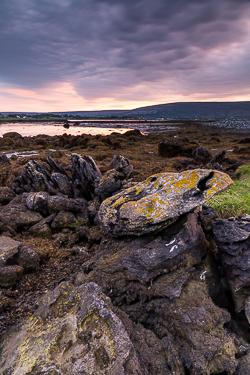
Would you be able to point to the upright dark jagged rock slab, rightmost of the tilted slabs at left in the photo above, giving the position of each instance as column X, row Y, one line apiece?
column 86, row 176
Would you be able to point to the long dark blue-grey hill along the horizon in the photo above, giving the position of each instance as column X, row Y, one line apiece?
column 182, row 110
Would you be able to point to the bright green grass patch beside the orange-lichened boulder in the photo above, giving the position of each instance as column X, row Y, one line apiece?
column 236, row 200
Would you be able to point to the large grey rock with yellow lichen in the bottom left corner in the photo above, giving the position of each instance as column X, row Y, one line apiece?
column 74, row 331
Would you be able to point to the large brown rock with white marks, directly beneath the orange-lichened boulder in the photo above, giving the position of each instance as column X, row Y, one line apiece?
column 155, row 280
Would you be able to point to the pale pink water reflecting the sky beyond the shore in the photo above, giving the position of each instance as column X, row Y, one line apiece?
column 28, row 129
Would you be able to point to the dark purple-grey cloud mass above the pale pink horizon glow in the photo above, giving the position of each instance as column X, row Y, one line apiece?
column 102, row 46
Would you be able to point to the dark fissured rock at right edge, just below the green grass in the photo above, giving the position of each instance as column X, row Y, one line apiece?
column 233, row 241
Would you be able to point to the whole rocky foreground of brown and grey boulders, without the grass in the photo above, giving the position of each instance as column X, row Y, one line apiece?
column 100, row 274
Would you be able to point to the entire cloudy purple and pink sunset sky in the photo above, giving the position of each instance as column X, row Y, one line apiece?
column 66, row 55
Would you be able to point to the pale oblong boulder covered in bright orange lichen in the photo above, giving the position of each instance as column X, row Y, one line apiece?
column 157, row 202
